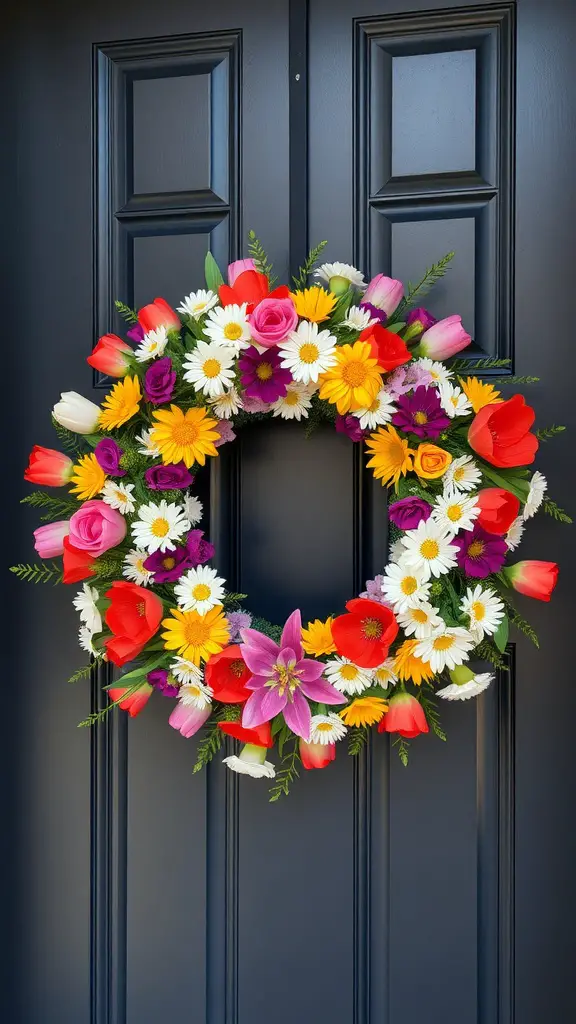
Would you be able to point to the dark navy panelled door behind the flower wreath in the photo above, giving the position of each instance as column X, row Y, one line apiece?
column 138, row 136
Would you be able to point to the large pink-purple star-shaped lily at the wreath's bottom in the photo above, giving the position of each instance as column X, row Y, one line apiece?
column 283, row 678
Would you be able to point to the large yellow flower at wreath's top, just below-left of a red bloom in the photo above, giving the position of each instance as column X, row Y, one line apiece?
column 355, row 381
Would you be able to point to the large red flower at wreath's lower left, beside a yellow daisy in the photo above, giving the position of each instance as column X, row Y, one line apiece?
column 134, row 617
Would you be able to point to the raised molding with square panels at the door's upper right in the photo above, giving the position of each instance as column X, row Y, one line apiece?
column 462, row 64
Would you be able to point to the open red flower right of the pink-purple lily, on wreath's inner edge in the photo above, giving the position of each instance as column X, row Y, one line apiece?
column 364, row 635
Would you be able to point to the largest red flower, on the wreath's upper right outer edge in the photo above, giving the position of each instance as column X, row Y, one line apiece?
column 501, row 434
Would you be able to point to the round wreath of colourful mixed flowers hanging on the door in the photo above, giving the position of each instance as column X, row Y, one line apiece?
column 450, row 449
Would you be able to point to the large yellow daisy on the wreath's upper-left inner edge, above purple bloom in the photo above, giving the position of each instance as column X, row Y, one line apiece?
column 184, row 437
